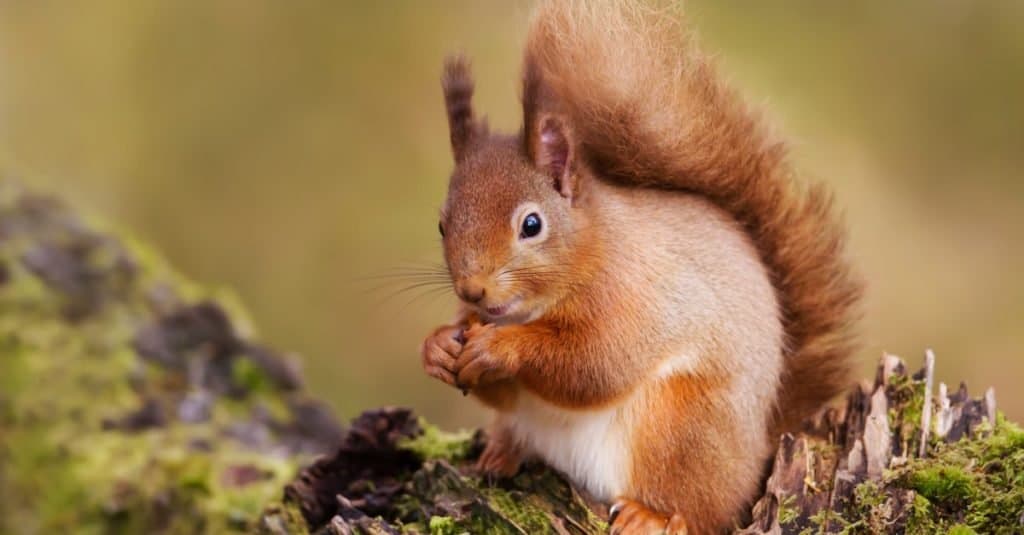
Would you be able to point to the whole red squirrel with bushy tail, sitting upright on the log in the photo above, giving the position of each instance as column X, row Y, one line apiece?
column 648, row 297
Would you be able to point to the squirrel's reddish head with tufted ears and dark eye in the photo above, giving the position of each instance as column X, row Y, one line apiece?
column 511, row 225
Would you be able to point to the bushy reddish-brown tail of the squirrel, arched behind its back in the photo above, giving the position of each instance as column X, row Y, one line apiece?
column 648, row 109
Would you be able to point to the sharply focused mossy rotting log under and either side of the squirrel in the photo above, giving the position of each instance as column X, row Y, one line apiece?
column 895, row 460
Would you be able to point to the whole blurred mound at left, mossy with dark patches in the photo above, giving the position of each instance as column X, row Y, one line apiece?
column 130, row 402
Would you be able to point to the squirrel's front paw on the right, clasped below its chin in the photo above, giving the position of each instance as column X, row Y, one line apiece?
column 484, row 359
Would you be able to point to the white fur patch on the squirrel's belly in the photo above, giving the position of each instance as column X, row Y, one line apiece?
column 590, row 447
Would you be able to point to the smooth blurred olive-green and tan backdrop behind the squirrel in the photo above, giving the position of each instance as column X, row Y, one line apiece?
column 289, row 150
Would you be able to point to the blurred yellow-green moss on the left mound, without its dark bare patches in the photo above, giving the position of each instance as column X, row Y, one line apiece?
column 64, row 381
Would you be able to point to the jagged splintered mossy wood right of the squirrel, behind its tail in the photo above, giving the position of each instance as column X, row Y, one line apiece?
column 888, row 471
